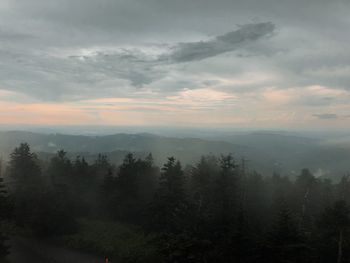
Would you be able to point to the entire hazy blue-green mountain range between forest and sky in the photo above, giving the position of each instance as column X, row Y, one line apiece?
column 265, row 152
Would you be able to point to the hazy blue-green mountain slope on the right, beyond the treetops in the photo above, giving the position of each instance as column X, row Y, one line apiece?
column 290, row 153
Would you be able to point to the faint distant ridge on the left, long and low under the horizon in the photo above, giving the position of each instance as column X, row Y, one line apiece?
column 106, row 143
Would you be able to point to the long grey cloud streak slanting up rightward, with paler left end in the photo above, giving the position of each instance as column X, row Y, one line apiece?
column 145, row 65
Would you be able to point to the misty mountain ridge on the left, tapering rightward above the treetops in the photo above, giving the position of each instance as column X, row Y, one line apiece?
column 186, row 149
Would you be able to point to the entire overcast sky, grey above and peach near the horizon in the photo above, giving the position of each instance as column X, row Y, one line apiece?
column 278, row 64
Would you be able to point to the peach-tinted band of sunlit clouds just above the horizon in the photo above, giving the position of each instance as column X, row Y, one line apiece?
column 199, row 107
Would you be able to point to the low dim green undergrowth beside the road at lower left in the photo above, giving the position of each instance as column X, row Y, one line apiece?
column 120, row 242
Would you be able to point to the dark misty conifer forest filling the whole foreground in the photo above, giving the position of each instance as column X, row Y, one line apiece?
column 216, row 210
